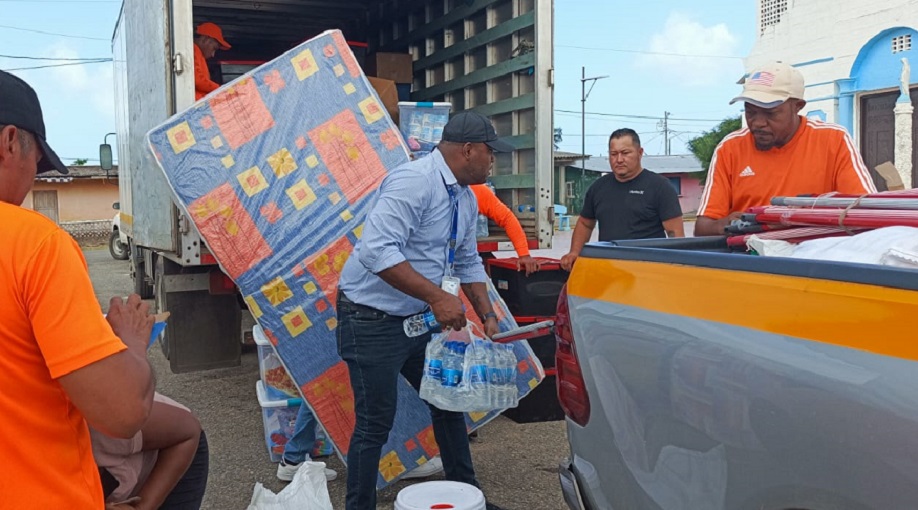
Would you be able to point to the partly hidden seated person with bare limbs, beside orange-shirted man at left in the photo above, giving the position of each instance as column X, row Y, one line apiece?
column 163, row 466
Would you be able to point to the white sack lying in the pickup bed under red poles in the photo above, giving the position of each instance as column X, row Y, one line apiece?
column 891, row 246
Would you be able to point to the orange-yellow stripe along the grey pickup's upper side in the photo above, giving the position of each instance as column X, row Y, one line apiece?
column 872, row 318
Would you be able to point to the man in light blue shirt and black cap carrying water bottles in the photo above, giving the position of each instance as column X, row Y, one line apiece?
column 418, row 243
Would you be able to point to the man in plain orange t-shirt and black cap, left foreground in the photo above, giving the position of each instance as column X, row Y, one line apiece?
column 61, row 362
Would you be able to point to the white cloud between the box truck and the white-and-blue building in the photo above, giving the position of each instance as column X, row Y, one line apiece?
column 683, row 35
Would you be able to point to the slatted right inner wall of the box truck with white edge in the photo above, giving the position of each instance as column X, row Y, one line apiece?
column 494, row 57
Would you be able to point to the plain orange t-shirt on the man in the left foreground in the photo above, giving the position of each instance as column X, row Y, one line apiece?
column 50, row 326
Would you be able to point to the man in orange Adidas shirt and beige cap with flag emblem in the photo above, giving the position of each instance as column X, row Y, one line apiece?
column 779, row 153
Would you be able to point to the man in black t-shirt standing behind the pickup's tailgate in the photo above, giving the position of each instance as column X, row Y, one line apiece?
column 629, row 203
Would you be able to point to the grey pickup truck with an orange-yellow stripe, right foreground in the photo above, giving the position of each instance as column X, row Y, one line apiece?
column 697, row 378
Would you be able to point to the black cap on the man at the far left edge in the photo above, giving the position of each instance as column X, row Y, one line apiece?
column 19, row 107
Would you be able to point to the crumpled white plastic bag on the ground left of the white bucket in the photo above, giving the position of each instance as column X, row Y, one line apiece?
column 307, row 491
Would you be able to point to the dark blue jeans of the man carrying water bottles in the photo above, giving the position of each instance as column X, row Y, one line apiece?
column 376, row 350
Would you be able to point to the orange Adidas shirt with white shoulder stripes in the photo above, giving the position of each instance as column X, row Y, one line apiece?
column 819, row 159
